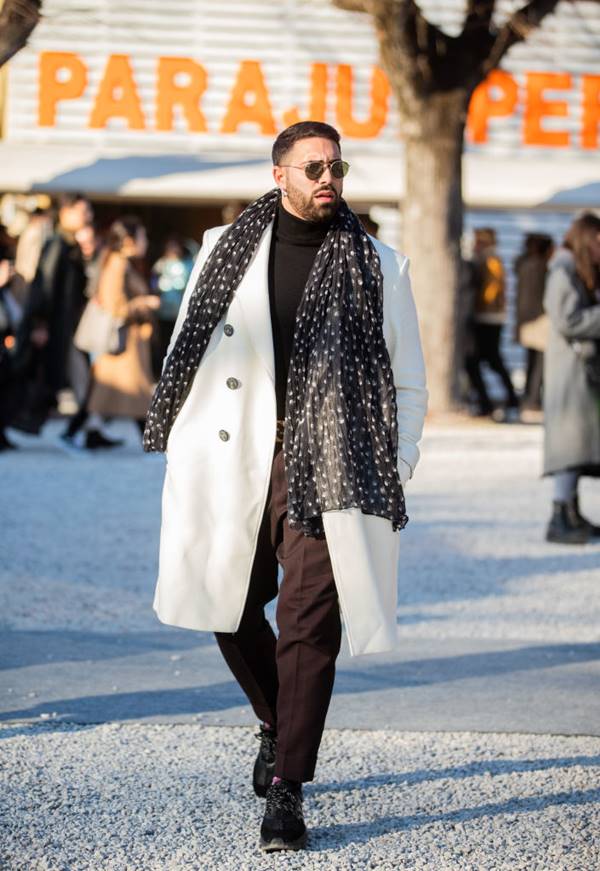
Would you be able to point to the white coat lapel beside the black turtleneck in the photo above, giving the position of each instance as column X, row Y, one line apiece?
column 253, row 299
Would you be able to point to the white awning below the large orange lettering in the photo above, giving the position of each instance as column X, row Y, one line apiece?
column 489, row 182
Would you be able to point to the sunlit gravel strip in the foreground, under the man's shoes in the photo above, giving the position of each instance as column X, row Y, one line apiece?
column 165, row 798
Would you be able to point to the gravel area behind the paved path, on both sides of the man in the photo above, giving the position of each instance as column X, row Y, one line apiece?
column 474, row 563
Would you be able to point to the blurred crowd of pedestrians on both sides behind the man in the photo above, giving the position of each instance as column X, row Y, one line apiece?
column 79, row 310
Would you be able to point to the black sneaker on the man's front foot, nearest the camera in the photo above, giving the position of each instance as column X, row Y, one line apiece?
column 283, row 823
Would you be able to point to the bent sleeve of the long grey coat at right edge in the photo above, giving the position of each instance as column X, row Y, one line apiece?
column 569, row 315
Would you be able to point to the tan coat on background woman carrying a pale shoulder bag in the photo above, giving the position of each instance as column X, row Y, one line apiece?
column 122, row 383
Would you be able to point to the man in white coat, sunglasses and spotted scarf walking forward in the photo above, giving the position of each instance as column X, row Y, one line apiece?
column 291, row 403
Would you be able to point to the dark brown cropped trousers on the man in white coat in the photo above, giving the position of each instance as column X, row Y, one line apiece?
column 288, row 680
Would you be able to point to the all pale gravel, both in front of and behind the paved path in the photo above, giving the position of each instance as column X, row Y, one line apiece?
column 79, row 554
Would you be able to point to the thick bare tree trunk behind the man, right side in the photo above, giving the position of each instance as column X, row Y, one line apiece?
column 431, row 234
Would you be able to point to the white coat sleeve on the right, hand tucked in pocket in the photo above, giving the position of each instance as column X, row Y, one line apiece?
column 401, row 329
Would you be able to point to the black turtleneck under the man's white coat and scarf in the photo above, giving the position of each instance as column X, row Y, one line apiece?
column 294, row 245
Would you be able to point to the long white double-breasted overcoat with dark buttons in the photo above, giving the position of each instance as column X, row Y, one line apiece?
column 219, row 457
